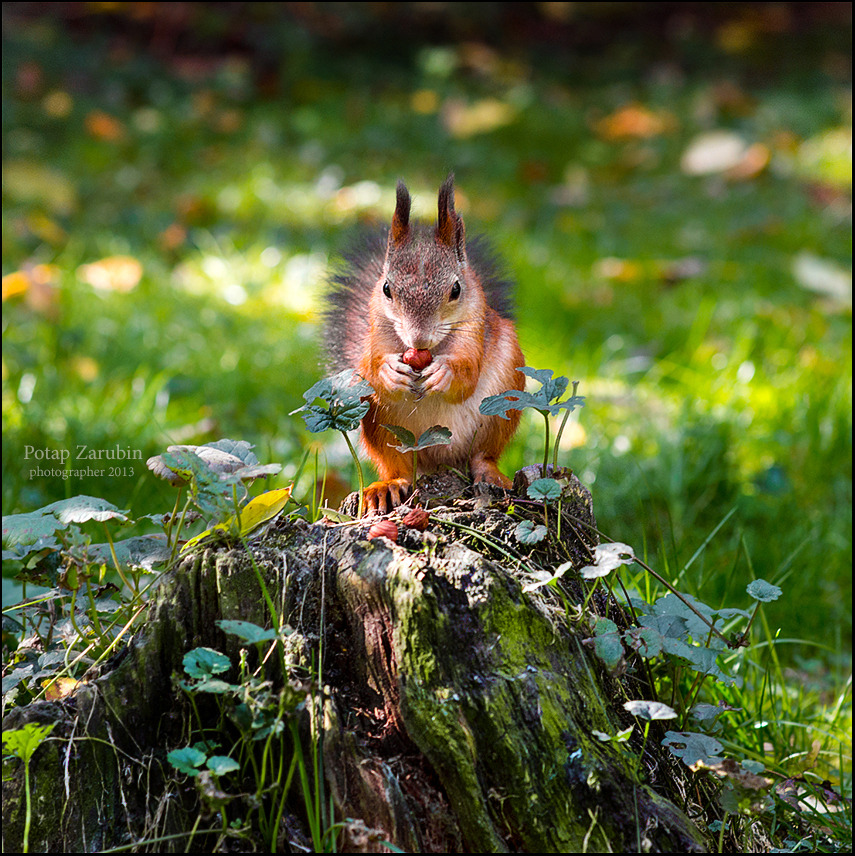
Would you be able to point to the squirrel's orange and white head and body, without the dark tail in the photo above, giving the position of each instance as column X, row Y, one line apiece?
column 475, row 354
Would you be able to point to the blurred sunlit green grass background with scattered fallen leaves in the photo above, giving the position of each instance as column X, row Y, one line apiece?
column 668, row 183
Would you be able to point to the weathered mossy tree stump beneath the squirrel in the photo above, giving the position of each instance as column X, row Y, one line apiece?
column 456, row 711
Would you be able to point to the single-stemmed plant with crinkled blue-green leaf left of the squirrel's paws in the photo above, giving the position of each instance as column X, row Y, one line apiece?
column 345, row 397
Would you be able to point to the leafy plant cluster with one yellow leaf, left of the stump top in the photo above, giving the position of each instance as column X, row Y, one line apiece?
column 96, row 595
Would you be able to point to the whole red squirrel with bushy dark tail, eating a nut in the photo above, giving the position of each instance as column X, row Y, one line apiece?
column 425, row 319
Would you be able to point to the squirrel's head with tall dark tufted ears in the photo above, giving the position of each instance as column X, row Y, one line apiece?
column 427, row 292
